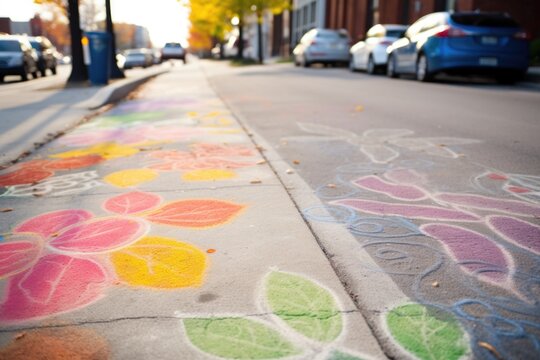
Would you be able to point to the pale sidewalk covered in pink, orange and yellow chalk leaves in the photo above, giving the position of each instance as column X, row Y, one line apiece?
column 158, row 231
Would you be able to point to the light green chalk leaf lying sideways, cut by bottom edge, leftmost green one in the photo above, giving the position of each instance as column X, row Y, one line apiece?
column 238, row 338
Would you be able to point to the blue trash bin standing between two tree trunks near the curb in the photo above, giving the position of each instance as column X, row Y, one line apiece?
column 99, row 44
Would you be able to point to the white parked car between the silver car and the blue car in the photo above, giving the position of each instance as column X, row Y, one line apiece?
column 370, row 54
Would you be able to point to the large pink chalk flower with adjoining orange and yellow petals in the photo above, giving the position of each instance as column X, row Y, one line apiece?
column 64, row 260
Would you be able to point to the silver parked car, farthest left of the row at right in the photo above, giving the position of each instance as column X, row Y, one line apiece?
column 324, row 46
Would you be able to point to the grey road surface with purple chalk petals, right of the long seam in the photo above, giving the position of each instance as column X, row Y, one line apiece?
column 439, row 182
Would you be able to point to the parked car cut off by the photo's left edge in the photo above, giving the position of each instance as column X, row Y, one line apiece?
column 17, row 57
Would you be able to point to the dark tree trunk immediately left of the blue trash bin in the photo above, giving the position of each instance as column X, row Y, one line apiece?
column 79, row 72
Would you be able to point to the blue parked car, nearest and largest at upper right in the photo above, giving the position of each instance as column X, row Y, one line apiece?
column 461, row 43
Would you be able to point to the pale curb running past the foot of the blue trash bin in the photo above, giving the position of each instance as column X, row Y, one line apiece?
column 117, row 91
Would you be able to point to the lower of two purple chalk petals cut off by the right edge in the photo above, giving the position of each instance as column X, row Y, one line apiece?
column 516, row 231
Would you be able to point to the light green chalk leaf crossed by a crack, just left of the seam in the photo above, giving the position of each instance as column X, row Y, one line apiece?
column 304, row 306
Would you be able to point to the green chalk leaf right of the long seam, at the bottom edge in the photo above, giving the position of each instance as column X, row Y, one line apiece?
column 428, row 333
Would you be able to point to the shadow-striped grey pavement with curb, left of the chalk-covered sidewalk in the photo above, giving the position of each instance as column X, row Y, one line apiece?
column 48, row 108
